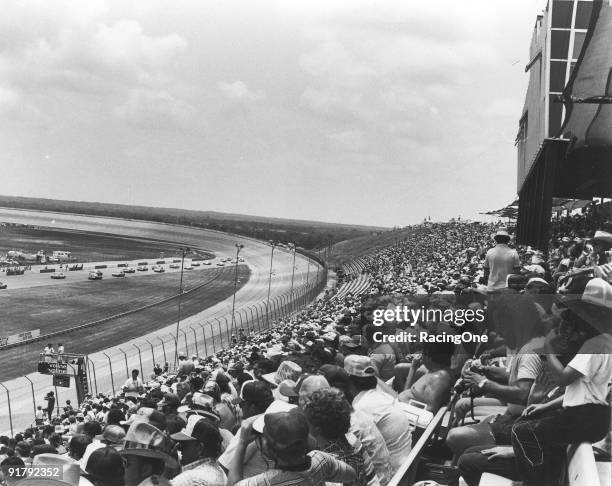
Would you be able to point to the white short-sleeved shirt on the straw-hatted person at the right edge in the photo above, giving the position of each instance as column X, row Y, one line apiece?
column 594, row 362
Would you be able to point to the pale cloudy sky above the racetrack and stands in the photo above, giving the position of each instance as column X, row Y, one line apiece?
column 364, row 112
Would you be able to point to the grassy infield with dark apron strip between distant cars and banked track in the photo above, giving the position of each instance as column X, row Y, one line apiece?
column 105, row 298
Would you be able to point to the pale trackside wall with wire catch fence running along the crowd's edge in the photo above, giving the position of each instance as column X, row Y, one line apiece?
column 108, row 371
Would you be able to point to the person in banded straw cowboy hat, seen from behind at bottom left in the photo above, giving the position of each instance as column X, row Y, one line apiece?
column 147, row 451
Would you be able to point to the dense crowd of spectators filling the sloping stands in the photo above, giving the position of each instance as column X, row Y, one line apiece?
column 317, row 398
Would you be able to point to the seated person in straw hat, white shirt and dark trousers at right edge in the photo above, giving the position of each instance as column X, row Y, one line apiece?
column 584, row 414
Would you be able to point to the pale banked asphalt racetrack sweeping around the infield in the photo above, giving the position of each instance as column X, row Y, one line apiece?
column 24, row 393
